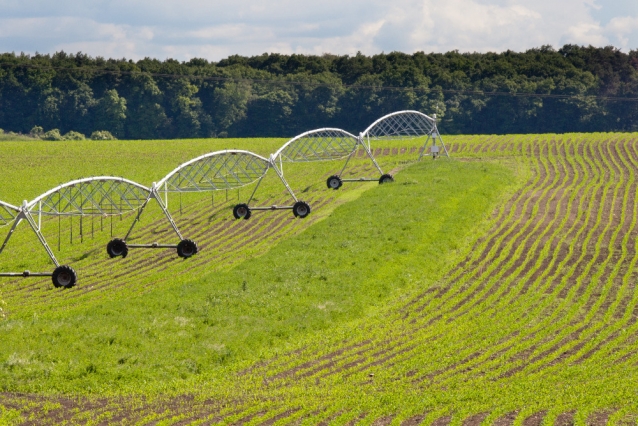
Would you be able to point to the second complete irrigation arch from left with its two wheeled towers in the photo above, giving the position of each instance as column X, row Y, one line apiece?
column 220, row 170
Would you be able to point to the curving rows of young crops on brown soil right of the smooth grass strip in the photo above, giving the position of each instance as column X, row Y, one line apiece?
column 536, row 324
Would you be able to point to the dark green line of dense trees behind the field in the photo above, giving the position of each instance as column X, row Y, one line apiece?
column 284, row 95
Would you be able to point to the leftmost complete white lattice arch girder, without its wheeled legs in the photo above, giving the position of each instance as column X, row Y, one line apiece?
column 103, row 196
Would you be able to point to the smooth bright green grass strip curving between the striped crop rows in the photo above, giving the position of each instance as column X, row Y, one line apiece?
column 392, row 240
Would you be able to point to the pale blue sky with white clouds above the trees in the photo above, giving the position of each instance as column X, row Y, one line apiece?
column 215, row 29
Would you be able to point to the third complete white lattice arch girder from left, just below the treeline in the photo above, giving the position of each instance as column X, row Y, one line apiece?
column 318, row 145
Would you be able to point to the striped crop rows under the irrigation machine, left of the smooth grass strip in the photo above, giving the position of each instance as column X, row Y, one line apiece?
column 224, row 242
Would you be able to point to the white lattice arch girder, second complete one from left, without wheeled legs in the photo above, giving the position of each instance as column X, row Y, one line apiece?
column 219, row 170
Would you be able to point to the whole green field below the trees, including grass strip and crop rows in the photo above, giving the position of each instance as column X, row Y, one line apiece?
column 494, row 287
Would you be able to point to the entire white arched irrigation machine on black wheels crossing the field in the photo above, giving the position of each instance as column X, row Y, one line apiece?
column 105, row 196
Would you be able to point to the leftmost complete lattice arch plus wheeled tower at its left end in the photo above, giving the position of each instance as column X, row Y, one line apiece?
column 103, row 196
